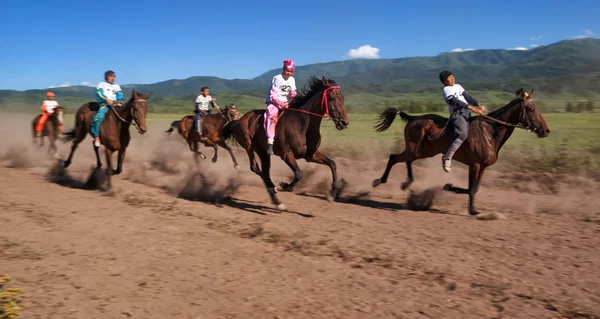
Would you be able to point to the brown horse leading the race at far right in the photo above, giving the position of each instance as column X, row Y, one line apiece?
column 428, row 135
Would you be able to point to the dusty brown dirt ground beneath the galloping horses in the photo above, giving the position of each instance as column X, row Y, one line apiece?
column 152, row 248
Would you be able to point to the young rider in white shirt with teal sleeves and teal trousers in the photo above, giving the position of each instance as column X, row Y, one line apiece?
column 107, row 93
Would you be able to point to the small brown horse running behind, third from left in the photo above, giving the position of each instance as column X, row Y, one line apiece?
column 212, row 126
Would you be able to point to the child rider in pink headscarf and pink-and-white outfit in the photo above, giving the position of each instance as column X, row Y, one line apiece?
column 282, row 85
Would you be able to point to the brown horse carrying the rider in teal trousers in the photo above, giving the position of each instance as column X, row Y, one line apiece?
column 114, row 131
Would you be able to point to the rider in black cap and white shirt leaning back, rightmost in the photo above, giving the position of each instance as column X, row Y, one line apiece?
column 460, row 102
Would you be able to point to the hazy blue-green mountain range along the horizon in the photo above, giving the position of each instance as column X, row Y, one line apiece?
column 569, row 65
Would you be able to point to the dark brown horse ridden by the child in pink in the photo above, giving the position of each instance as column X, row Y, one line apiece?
column 297, row 133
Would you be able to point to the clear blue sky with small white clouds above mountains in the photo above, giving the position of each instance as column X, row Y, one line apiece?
column 49, row 43
